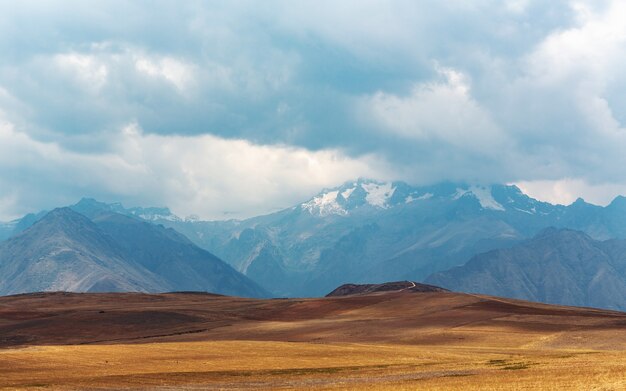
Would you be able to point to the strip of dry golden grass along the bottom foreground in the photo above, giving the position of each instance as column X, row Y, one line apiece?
column 285, row 365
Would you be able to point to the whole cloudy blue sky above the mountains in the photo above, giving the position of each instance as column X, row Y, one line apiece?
column 229, row 109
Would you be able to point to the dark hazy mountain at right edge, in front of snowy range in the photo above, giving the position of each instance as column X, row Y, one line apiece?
column 556, row 266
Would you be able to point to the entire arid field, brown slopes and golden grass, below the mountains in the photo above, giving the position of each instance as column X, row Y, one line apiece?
column 394, row 340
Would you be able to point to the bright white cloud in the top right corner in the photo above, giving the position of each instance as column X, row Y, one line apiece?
column 587, row 60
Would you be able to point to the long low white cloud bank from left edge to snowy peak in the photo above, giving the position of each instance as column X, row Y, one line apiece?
column 204, row 175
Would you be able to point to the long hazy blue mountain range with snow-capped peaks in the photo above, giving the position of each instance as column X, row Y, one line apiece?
column 366, row 232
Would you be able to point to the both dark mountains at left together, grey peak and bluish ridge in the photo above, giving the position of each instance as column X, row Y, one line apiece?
column 67, row 251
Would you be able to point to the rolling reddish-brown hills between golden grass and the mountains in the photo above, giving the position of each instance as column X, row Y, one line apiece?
column 401, row 316
